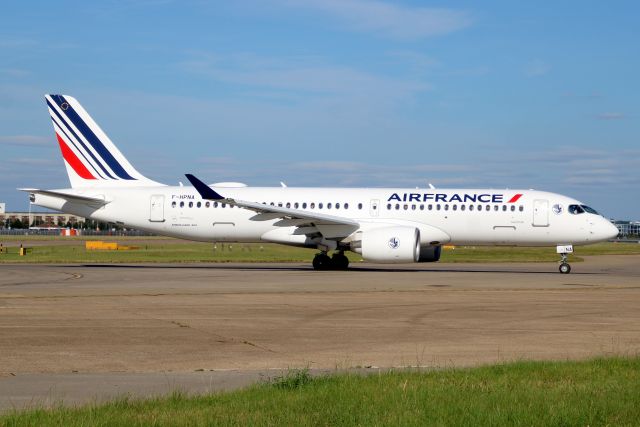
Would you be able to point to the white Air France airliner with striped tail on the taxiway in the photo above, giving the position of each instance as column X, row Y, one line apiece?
column 383, row 225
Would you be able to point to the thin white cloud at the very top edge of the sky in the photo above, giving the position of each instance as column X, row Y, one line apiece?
column 389, row 19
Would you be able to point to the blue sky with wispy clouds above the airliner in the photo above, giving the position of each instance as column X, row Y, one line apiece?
column 334, row 93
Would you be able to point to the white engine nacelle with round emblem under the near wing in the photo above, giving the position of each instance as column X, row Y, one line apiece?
column 388, row 244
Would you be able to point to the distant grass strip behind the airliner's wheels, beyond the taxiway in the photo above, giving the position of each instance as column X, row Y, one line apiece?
column 172, row 250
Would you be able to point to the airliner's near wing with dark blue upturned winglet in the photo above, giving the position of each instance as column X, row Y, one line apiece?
column 307, row 223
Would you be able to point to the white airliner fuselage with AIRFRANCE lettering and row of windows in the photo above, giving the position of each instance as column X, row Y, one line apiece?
column 451, row 216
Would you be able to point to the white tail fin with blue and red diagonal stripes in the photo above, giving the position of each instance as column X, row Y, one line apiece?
column 92, row 160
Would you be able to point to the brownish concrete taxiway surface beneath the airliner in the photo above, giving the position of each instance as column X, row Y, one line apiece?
column 85, row 332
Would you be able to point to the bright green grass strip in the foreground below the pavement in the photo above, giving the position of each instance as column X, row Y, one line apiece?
column 587, row 393
